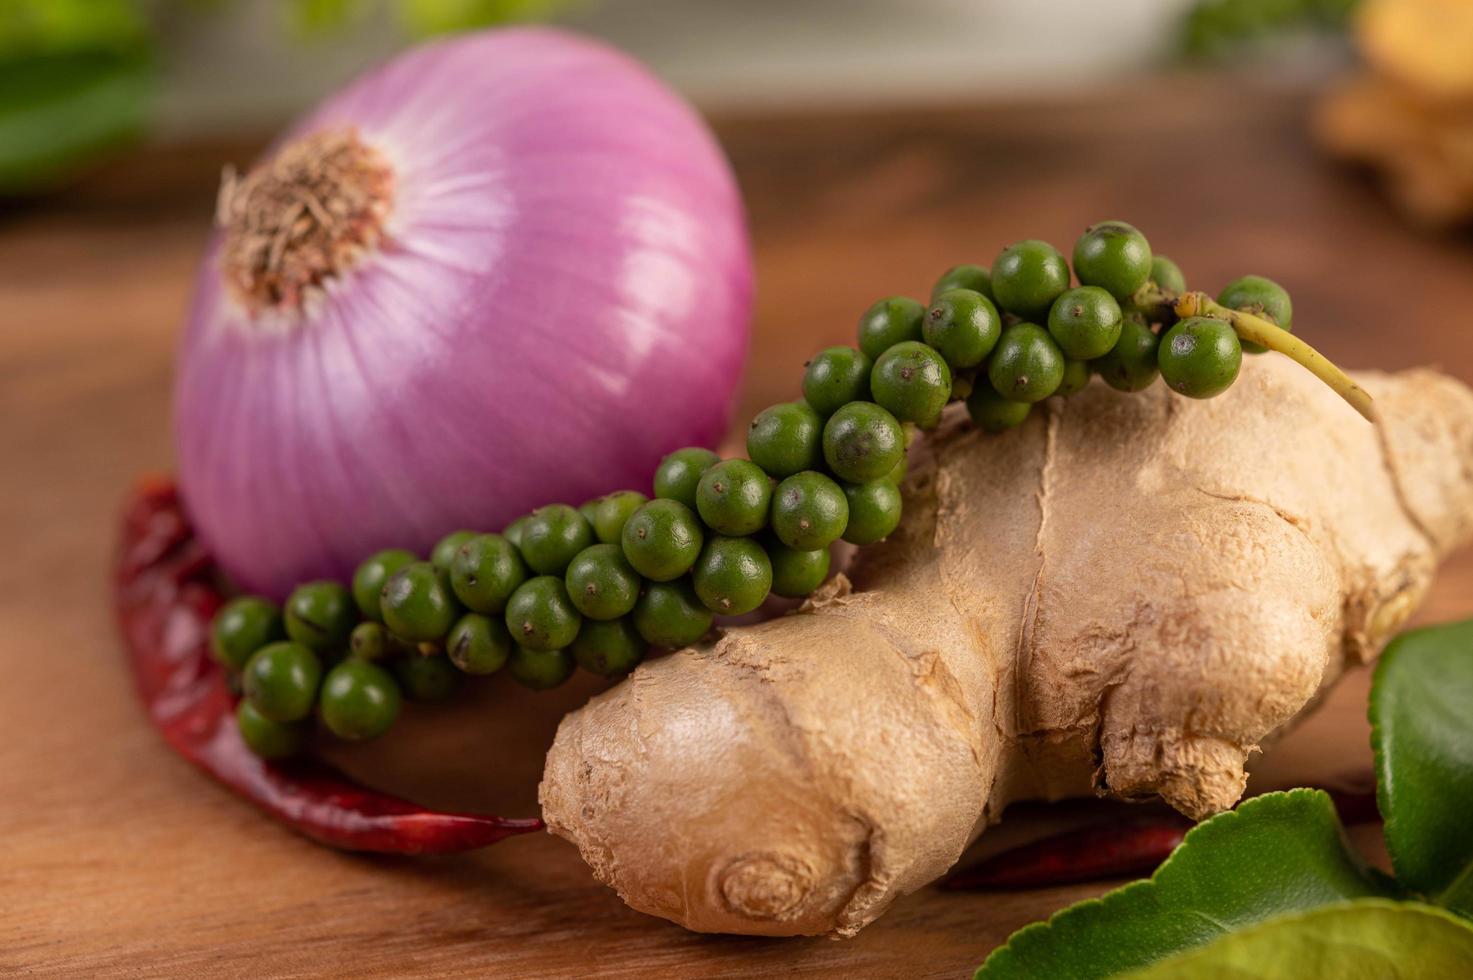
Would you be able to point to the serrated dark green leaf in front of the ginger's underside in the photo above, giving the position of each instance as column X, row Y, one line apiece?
column 1281, row 853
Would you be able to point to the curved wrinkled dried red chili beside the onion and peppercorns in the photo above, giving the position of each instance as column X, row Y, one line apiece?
column 166, row 596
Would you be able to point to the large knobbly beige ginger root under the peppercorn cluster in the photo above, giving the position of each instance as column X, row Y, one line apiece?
column 1126, row 596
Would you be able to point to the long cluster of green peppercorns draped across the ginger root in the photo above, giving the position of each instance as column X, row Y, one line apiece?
column 597, row 586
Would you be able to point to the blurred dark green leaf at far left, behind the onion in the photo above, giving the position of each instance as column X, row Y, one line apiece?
column 63, row 113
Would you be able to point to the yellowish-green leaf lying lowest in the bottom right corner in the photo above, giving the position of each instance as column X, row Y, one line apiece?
column 1368, row 939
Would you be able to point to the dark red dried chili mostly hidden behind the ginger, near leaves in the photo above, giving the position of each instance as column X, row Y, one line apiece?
column 1107, row 851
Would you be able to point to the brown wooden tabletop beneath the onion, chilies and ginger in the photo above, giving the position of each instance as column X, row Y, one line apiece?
column 117, row 860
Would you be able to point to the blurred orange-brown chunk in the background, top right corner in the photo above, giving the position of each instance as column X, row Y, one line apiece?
column 1412, row 114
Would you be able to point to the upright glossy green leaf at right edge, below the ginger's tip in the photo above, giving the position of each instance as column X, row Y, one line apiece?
column 1422, row 732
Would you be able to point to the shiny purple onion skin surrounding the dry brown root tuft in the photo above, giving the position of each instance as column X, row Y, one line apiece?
column 563, row 298
